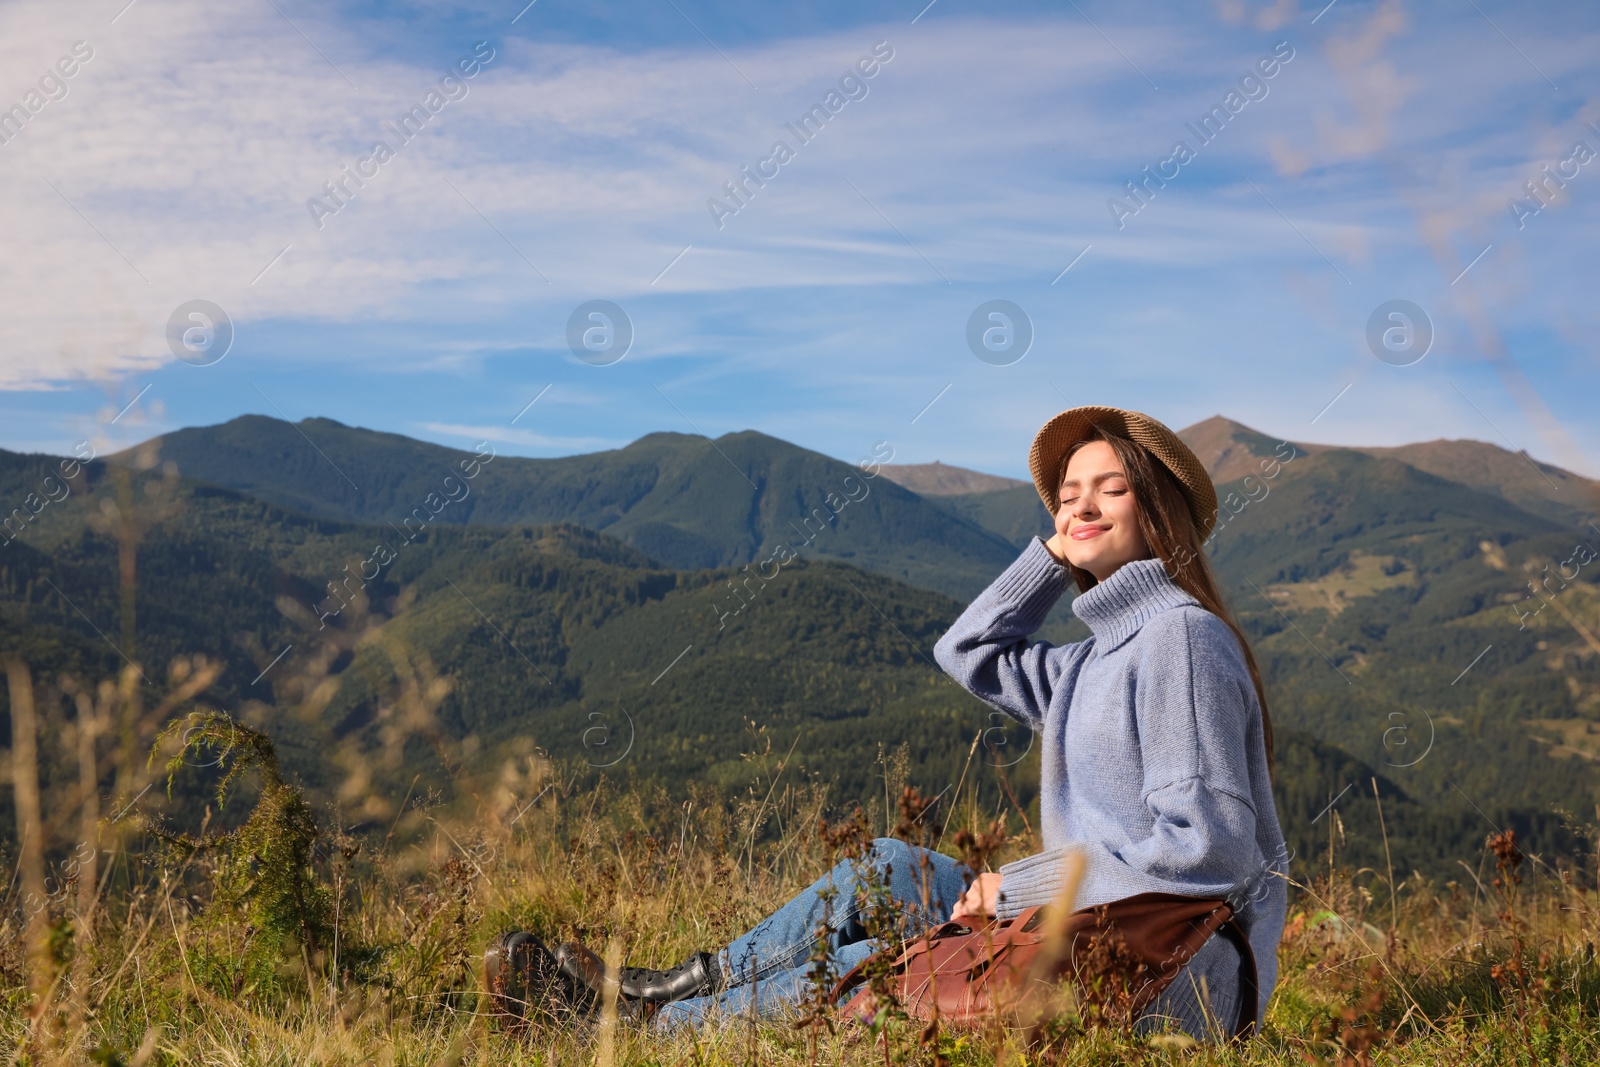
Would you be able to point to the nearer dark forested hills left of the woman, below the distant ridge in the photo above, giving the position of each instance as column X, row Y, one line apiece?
column 556, row 637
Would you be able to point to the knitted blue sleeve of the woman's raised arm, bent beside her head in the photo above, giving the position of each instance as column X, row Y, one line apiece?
column 986, row 649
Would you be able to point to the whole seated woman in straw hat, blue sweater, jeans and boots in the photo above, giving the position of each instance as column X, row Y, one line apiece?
column 1156, row 753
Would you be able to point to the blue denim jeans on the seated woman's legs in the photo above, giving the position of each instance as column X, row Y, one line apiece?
column 770, row 964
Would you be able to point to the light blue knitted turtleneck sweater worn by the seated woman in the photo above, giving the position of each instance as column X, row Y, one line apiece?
column 1153, row 756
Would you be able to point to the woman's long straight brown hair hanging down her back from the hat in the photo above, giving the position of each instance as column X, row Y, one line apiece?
column 1174, row 538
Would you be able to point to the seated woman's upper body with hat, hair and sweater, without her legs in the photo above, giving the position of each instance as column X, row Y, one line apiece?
column 1156, row 732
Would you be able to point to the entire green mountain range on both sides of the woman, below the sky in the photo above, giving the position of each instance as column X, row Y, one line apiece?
column 689, row 594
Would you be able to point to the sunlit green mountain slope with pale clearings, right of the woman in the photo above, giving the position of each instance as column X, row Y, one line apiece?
column 1370, row 588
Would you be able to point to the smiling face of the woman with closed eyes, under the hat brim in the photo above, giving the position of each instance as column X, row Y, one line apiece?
column 1098, row 519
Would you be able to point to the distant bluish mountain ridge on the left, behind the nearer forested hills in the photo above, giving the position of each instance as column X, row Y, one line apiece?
column 682, row 500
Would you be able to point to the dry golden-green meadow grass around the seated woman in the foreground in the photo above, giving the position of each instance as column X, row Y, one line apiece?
column 1497, row 972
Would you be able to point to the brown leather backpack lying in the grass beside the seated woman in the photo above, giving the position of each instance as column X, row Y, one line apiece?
column 1129, row 951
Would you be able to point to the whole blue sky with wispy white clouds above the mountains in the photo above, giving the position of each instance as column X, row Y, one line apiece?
column 946, row 255
